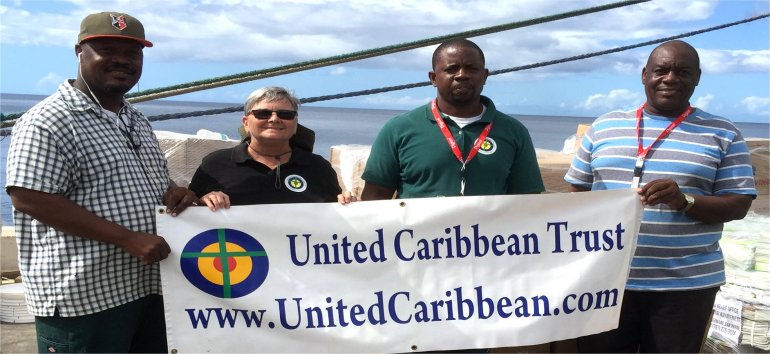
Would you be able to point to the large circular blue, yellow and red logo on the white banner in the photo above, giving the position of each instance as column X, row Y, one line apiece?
column 225, row 263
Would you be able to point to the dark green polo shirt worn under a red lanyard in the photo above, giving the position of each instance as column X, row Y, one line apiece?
column 411, row 155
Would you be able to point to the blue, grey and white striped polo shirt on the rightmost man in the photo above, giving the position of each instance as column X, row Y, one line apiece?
column 705, row 155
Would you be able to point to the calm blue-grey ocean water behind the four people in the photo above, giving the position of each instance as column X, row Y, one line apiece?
column 332, row 126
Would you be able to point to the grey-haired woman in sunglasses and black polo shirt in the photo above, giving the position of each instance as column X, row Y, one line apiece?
column 265, row 169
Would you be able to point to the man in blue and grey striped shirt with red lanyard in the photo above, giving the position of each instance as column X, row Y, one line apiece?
column 693, row 173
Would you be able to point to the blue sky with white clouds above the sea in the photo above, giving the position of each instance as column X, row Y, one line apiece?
column 203, row 39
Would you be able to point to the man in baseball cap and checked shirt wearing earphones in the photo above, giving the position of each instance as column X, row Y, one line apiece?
column 84, row 174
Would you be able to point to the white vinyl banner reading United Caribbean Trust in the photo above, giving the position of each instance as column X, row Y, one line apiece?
column 398, row 275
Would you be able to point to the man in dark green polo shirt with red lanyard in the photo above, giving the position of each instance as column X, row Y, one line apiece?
column 459, row 144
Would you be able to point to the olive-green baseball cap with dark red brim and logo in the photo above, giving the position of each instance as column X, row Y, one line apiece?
column 112, row 25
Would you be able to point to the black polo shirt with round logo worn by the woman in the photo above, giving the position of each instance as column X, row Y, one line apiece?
column 305, row 178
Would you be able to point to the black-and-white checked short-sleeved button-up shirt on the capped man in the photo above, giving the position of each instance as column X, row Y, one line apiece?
column 68, row 145
